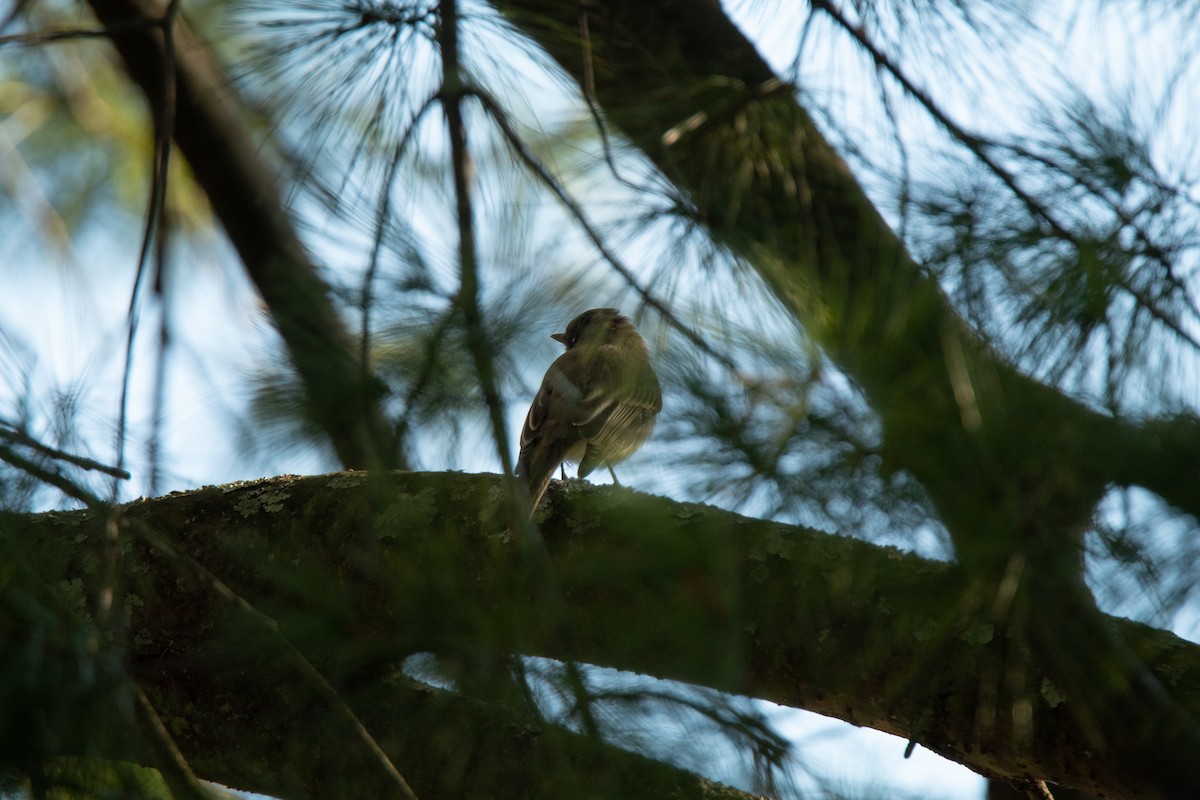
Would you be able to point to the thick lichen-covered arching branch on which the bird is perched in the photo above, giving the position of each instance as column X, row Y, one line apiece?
column 363, row 574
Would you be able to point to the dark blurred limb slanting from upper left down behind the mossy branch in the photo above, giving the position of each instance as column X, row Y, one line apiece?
column 226, row 163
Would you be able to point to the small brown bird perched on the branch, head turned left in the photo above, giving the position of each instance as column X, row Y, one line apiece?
column 597, row 404
